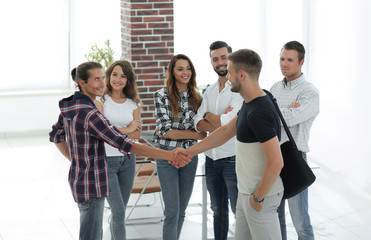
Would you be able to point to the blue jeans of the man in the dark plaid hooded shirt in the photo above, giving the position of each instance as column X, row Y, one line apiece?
column 91, row 219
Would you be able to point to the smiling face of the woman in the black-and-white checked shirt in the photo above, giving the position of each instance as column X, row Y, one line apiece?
column 182, row 73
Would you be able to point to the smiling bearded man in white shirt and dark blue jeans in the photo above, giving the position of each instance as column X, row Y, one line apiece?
column 219, row 106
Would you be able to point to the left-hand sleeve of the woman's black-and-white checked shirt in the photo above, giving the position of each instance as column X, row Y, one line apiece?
column 163, row 120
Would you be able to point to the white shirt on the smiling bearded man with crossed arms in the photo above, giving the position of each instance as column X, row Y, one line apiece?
column 216, row 102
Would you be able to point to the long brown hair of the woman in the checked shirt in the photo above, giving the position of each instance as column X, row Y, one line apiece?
column 194, row 96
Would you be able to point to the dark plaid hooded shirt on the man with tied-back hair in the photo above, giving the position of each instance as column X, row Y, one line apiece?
column 85, row 129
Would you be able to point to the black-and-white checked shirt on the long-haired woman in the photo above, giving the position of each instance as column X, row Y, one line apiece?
column 165, row 121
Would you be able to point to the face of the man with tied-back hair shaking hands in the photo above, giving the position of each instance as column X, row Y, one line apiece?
column 95, row 85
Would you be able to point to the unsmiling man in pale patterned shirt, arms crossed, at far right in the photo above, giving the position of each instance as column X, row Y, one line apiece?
column 298, row 100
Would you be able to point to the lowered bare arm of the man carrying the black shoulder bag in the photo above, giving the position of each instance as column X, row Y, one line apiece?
column 273, row 167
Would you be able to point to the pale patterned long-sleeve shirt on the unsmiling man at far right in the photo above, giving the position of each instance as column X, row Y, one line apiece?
column 299, row 120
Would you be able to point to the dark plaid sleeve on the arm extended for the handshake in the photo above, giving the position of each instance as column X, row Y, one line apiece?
column 100, row 127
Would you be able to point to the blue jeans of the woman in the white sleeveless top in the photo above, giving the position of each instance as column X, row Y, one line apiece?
column 121, row 171
